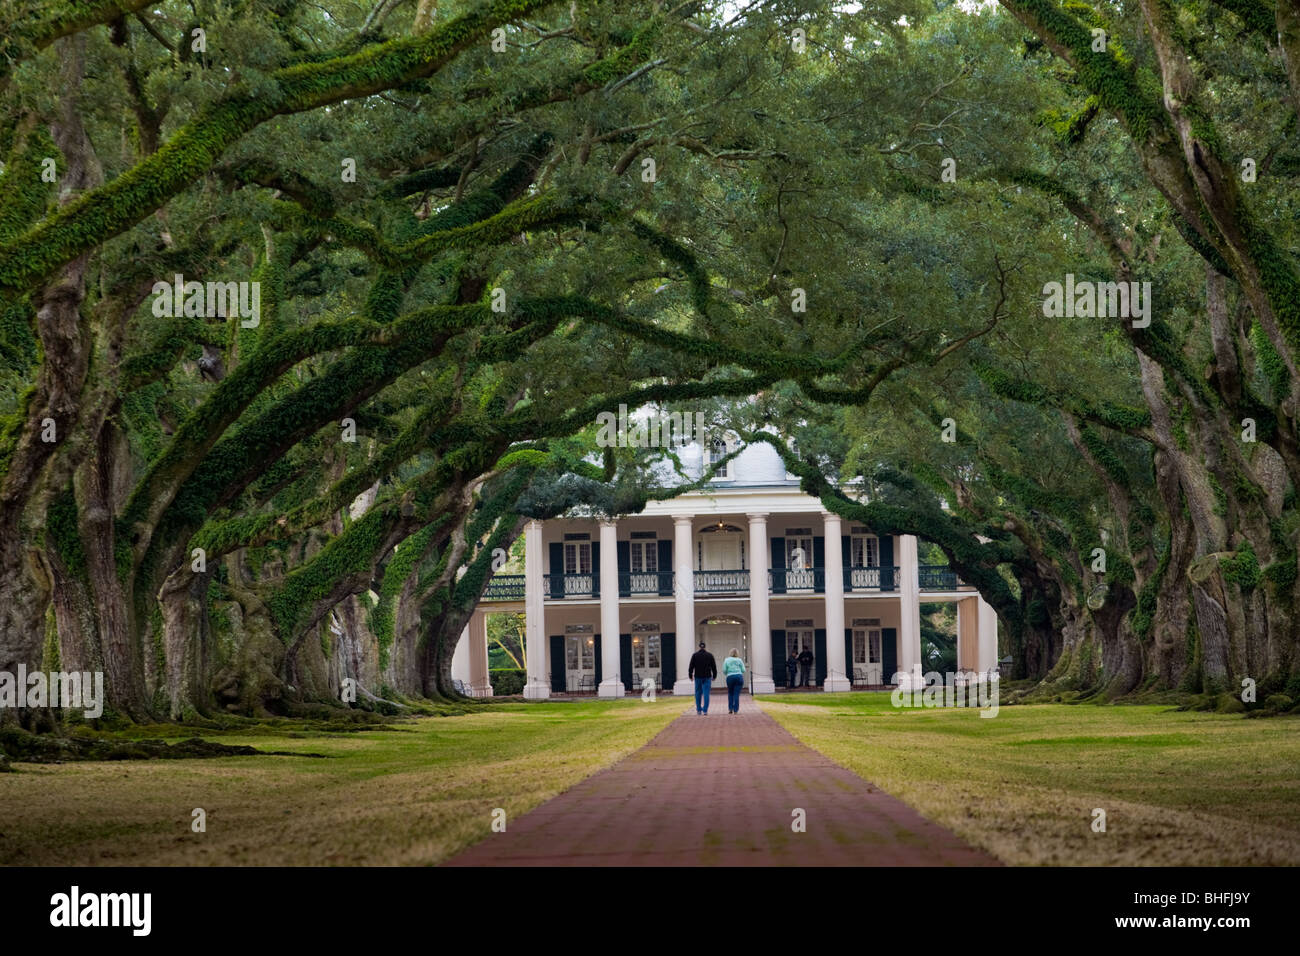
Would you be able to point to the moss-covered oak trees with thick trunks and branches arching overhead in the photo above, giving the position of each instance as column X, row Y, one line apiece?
column 306, row 309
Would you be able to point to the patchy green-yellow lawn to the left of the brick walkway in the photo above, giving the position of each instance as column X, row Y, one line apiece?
column 409, row 797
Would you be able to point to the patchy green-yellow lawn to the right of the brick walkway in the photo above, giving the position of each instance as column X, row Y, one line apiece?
column 1178, row 789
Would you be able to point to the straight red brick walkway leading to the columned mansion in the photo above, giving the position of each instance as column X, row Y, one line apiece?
column 720, row 791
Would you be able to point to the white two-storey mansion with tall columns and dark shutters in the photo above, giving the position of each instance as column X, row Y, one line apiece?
column 752, row 563
